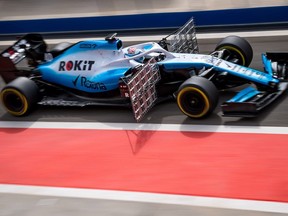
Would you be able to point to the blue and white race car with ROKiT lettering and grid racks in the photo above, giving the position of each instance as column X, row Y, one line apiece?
column 103, row 72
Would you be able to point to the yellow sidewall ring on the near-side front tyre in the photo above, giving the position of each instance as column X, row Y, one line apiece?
column 193, row 89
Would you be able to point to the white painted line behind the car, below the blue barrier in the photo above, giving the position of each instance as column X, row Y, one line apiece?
column 138, row 39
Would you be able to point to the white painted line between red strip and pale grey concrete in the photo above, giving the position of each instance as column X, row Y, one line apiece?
column 237, row 204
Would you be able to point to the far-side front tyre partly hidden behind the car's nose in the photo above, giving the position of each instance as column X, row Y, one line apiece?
column 237, row 50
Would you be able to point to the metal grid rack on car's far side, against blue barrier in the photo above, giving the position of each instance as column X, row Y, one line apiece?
column 183, row 40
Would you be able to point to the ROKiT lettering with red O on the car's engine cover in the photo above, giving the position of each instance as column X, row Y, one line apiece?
column 78, row 65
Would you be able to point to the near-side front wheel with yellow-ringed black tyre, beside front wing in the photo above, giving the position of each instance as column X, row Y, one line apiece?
column 197, row 97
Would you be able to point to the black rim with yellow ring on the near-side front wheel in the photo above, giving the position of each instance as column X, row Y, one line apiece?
column 193, row 102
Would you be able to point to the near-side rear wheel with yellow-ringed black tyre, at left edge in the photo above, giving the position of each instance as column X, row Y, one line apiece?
column 20, row 96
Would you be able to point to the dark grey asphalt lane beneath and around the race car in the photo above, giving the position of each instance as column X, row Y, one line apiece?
column 168, row 112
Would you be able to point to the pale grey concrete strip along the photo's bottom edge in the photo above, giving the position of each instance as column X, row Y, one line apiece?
column 25, row 205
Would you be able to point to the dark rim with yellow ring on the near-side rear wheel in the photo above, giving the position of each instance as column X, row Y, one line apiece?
column 14, row 101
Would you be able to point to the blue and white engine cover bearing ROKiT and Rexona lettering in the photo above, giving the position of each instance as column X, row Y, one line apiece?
column 92, row 78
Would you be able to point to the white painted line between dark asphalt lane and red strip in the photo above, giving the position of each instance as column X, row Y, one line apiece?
column 149, row 127
